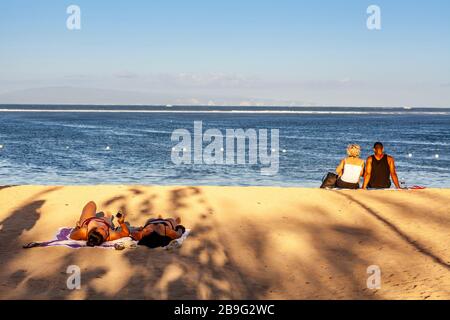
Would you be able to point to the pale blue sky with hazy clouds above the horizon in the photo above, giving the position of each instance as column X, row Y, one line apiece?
column 226, row 52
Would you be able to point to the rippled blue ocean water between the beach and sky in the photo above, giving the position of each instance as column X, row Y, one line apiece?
column 68, row 145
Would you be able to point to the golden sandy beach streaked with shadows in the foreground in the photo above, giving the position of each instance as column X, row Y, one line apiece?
column 246, row 243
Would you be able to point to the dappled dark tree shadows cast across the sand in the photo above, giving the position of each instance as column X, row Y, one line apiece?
column 205, row 267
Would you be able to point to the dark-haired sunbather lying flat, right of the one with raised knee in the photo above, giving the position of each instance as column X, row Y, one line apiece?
column 158, row 232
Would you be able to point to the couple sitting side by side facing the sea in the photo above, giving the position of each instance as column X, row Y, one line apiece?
column 377, row 170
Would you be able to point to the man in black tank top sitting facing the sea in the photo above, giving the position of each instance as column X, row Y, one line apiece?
column 380, row 167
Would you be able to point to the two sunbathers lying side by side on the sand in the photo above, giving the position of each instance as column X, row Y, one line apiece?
column 96, row 228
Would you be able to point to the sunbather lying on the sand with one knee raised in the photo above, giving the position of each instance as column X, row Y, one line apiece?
column 97, row 229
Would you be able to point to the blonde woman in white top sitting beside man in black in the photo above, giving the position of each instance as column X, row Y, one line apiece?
column 350, row 169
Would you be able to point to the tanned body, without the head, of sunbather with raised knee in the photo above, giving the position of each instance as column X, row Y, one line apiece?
column 90, row 210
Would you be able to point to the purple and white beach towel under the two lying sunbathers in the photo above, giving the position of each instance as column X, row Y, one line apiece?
column 62, row 239
